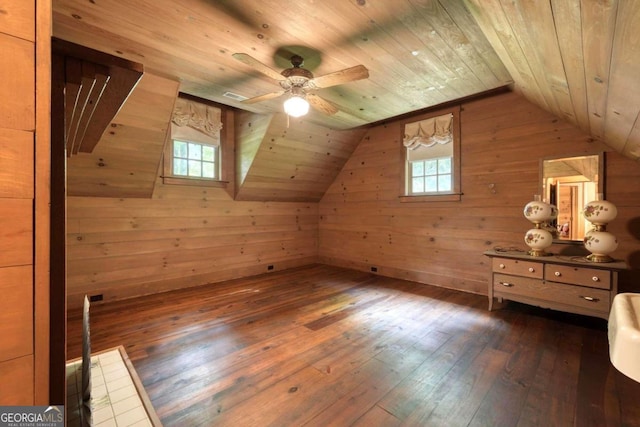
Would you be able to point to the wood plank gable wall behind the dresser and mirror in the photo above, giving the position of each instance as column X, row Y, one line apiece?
column 363, row 224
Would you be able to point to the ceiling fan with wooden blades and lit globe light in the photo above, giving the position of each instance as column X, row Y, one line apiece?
column 299, row 83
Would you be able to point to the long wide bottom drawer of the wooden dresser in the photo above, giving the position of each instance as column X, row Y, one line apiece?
column 550, row 294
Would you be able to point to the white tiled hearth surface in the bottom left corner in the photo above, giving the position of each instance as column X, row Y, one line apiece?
column 114, row 398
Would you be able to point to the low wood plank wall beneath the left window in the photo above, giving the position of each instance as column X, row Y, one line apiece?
column 184, row 236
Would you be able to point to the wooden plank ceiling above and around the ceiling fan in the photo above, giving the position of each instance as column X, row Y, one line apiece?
column 579, row 59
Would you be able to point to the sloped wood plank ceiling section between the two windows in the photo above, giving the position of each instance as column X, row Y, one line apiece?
column 285, row 159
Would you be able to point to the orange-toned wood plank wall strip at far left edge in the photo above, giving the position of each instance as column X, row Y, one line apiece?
column 24, row 166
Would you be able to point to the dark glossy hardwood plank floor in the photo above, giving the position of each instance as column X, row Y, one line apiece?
column 320, row 346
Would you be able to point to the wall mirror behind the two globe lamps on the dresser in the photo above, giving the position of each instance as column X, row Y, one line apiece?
column 570, row 183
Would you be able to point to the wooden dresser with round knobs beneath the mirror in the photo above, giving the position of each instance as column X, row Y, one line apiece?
column 565, row 283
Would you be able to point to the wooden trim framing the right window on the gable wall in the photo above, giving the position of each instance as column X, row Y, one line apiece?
column 456, row 192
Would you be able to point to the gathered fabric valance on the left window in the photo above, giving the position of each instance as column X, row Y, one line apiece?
column 196, row 122
